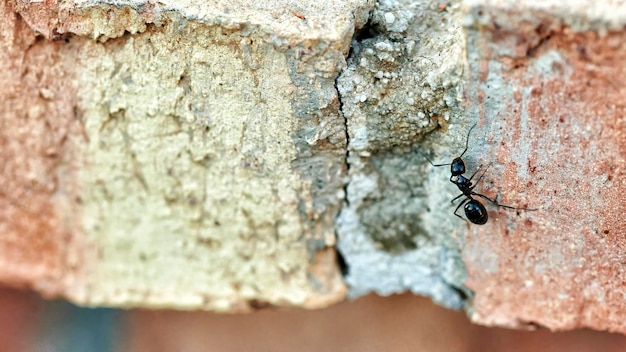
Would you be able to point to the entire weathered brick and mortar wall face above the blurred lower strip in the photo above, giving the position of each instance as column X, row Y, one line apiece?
column 194, row 155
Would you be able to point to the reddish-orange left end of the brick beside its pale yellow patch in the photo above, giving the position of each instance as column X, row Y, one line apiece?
column 39, row 153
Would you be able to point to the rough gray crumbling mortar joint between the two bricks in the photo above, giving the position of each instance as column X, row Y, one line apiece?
column 403, row 80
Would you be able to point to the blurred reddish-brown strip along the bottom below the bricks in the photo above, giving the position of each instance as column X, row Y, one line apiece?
column 397, row 323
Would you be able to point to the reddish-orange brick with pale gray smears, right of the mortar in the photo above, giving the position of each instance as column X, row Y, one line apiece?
column 550, row 100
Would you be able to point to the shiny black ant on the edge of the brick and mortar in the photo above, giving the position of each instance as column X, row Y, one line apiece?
column 474, row 210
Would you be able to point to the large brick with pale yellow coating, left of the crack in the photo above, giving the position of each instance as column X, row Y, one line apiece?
column 181, row 155
